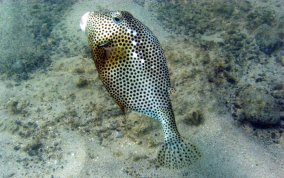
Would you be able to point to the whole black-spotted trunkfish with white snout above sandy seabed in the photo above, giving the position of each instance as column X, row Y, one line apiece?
column 133, row 68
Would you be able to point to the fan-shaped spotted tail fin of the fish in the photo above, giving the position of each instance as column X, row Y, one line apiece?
column 176, row 153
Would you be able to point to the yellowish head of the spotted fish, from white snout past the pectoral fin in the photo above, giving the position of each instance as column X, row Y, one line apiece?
column 112, row 36
